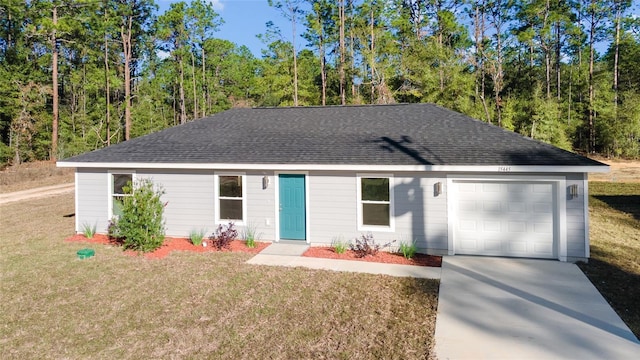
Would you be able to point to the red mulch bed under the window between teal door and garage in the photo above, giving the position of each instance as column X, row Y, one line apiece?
column 381, row 257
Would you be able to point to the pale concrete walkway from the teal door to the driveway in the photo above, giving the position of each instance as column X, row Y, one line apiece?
column 287, row 254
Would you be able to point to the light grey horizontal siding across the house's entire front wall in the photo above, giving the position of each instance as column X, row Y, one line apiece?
column 420, row 215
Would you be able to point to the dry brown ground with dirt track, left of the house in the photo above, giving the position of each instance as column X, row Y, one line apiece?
column 32, row 175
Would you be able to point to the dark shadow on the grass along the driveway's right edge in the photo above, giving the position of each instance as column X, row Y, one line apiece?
column 620, row 288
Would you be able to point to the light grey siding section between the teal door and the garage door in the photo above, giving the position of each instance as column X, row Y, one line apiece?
column 419, row 214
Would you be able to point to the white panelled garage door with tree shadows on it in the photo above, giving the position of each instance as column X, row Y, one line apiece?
column 505, row 219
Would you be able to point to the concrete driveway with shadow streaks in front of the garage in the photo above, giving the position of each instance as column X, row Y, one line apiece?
column 497, row 308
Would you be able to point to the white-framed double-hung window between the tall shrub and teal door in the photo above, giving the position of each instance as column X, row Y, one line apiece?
column 231, row 197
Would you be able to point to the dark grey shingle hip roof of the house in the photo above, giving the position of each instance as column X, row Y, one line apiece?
column 403, row 134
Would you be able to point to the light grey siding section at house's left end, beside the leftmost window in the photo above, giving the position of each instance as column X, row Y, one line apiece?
column 92, row 191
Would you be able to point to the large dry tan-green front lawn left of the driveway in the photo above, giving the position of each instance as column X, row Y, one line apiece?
column 190, row 305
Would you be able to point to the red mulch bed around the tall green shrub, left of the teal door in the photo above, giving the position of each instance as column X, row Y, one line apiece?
column 171, row 244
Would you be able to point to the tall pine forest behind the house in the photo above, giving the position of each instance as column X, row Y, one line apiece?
column 80, row 75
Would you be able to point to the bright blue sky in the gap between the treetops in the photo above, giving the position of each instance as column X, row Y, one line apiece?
column 243, row 20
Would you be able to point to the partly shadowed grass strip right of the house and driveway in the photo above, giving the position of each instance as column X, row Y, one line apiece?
column 614, row 267
